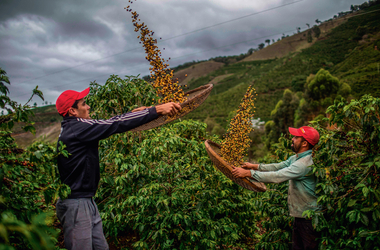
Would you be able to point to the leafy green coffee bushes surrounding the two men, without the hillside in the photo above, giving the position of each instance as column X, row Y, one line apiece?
column 160, row 186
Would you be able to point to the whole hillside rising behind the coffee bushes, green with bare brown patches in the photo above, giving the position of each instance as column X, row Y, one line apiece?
column 346, row 47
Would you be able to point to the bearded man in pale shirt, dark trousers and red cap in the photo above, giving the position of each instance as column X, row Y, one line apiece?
column 297, row 170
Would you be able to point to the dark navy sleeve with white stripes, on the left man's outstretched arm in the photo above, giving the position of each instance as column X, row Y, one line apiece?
column 87, row 130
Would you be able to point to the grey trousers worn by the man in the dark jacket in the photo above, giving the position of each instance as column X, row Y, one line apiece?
column 82, row 225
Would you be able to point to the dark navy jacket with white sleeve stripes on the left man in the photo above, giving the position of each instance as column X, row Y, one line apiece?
column 81, row 170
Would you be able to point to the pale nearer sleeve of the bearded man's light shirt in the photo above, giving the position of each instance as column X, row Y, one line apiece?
column 294, row 171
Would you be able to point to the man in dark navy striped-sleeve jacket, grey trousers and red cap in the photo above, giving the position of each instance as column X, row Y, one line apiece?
column 78, row 214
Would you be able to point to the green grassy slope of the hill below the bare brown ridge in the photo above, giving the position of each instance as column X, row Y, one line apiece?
column 339, row 51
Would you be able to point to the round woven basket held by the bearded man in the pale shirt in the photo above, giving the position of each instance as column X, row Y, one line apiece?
column 213, row 150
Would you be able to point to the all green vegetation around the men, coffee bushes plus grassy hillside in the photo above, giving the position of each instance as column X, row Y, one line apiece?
column 159, row 189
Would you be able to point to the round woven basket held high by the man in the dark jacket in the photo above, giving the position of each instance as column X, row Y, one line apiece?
column 195, row 98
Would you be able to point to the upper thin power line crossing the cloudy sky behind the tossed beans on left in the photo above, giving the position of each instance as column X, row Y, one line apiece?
column 184, row 34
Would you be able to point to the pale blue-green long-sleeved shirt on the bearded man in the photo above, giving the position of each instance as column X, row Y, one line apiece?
column 297, row 170
